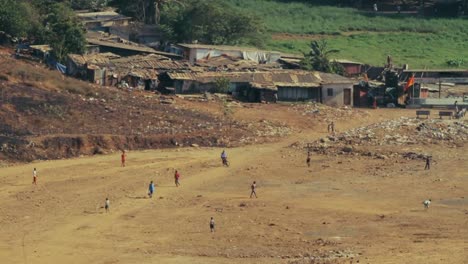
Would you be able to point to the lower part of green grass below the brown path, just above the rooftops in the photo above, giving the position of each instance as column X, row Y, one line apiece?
column 417, row 50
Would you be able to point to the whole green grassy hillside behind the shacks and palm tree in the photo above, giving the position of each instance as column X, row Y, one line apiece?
column 418, row 41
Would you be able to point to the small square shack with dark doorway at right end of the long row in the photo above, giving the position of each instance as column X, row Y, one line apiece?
column 336, row 90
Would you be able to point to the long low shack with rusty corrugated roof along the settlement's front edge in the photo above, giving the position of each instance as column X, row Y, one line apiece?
column 281, row 85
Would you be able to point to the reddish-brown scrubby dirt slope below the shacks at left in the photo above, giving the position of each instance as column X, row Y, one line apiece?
column 44, row 115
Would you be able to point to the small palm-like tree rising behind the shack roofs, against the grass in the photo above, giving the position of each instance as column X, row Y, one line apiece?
column 318, row 58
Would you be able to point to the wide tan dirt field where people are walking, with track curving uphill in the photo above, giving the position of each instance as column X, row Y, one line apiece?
column 343, row 209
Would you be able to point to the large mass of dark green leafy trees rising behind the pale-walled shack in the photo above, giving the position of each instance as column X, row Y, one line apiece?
column 206, row 21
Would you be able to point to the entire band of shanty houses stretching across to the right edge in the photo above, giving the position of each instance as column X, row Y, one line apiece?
column 123, row 54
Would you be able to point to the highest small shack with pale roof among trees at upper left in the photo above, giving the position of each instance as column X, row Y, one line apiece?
column 102, row 21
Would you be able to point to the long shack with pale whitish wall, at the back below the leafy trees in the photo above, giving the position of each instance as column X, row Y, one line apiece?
column 195, row 52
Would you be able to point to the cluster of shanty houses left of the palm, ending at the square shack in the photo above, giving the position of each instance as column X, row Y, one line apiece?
column 253, row 75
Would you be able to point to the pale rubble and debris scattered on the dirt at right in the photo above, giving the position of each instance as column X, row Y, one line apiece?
column 368, row 140
